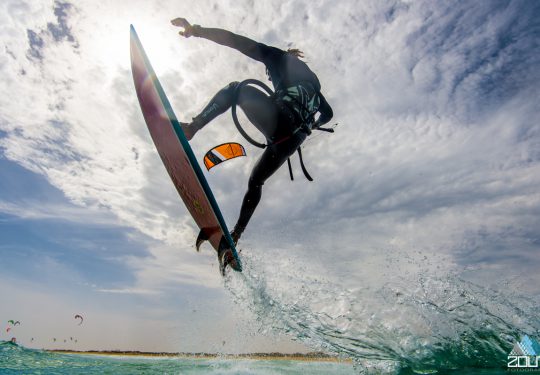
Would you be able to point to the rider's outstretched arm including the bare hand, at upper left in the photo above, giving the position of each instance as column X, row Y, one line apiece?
column 245, row 45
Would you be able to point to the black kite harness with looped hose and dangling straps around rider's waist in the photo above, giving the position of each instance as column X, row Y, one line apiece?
column 302, row 127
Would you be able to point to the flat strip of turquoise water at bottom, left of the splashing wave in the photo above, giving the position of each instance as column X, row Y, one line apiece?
column 18, row 360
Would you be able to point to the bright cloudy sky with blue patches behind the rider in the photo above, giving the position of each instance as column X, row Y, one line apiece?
column 435, row 160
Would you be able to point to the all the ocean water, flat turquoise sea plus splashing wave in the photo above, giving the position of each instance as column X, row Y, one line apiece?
column 417, row 323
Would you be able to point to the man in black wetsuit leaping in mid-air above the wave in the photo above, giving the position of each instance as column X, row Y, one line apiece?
column 285, row 119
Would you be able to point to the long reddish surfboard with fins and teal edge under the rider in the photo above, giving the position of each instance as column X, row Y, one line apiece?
column 177, row 155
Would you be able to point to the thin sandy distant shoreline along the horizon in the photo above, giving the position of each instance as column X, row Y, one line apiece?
column 314, row 357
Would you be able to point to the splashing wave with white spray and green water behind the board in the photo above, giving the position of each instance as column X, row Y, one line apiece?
column 418, row 324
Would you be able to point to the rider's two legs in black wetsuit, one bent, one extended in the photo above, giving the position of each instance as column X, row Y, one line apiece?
column 265, row 115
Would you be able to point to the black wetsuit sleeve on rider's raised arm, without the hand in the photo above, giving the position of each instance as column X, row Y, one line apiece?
column 248, row 47
